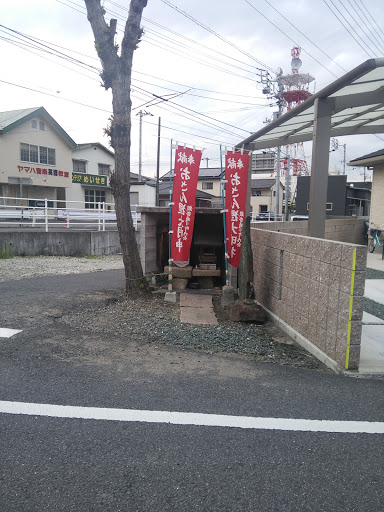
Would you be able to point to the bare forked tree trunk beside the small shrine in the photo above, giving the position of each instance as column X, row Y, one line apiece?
column 117, row 76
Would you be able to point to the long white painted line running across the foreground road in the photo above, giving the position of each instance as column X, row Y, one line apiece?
column 189, row 418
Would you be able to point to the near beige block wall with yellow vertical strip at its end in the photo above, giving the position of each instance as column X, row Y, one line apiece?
column 315, row 287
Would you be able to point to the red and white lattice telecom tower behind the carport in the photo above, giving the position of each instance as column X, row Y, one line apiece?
column 294, row 90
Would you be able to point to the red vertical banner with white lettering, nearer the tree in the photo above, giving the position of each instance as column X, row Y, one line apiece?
column 186, row 174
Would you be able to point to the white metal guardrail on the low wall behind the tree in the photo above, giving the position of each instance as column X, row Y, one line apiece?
column 55, row 213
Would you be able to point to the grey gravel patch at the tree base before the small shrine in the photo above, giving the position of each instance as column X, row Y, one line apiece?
column 152, row 320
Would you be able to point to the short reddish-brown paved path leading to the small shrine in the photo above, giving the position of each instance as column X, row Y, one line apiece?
column 197, row 309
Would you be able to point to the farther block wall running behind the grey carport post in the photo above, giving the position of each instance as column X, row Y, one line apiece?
column 345, row 229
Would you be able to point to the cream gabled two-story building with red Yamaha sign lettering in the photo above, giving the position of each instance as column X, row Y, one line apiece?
column 35, row 157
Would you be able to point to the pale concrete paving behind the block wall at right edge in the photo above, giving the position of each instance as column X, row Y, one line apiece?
column 372, row 340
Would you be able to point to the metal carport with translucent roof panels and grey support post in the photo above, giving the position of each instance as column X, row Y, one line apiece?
column 351, row 105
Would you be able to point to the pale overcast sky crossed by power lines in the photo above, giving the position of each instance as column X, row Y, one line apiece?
column 215, row 71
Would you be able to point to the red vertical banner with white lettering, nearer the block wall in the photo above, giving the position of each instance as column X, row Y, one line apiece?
column 236, row 176
